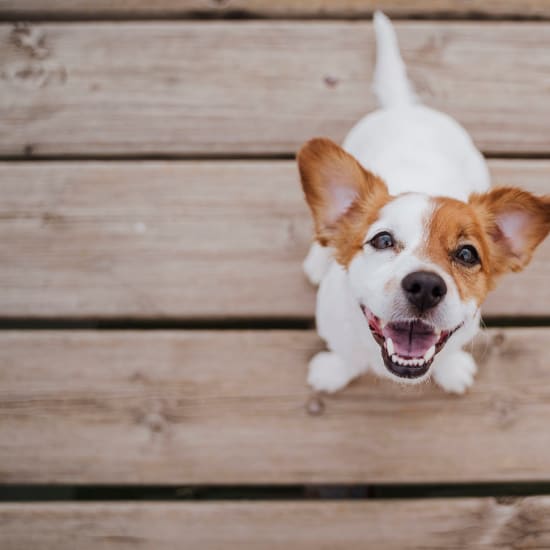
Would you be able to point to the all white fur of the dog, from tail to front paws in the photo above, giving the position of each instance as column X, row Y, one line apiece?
column 423, row 153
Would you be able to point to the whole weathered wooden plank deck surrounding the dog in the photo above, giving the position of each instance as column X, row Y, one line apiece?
column 155, row 325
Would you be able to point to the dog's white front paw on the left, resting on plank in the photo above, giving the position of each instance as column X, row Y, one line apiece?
column 328, row 372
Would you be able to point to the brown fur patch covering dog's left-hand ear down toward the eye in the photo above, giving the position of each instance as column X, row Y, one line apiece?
column 344, row 198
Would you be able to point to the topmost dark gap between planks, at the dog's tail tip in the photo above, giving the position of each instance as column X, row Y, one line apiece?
column 243, row 15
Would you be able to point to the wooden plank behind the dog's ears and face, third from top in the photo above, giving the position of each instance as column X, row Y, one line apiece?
column 192, row 240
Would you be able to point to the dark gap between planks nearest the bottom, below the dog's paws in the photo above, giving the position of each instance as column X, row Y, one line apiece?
column 62, row 492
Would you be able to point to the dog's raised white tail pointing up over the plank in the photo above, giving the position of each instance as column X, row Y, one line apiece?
column 390, row 83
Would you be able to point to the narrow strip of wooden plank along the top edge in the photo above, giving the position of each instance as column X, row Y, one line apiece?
column 281, row 8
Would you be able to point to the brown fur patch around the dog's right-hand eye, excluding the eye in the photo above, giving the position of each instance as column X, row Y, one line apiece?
column 454, row 224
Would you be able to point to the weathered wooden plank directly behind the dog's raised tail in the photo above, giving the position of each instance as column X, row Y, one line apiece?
column 257, row 87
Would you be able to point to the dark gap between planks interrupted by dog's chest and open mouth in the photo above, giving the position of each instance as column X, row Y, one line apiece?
column 246, row 323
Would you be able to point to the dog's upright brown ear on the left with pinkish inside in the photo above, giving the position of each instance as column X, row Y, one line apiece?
column 333, row 181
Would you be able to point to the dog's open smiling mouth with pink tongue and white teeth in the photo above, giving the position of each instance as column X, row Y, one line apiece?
column 408, row 347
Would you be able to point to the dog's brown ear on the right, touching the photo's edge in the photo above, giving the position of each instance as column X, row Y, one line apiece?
column 516, row 222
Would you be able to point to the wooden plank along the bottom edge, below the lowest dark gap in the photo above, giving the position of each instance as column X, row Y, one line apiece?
column 475, row 524
